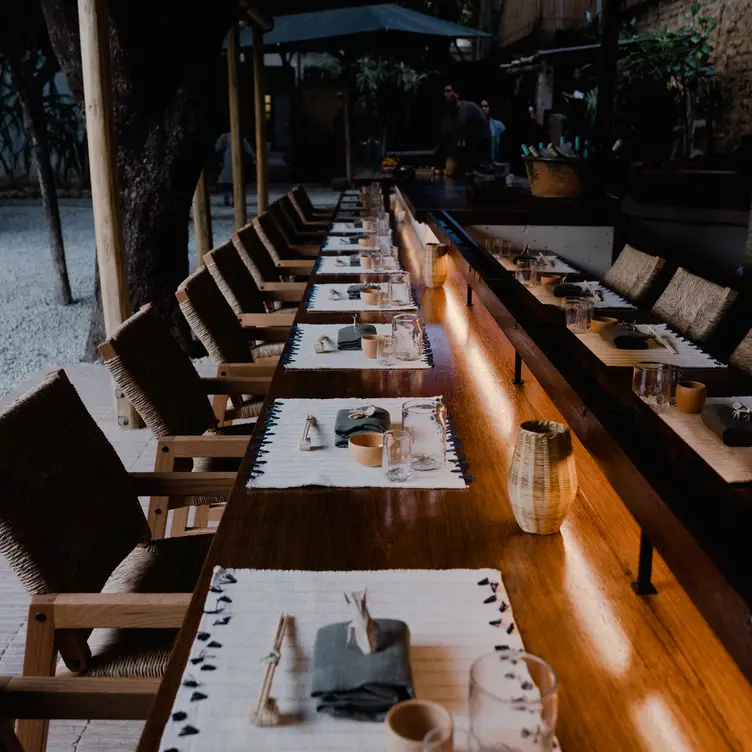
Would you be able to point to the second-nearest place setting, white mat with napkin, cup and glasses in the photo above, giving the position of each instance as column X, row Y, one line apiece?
column 357, row 443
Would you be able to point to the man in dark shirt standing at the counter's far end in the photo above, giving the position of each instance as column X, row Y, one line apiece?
column 465, row 136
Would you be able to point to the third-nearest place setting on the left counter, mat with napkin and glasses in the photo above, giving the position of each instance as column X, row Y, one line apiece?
column 402, row 344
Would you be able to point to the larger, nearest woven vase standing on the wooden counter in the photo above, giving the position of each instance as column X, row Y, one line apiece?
column 542, row 477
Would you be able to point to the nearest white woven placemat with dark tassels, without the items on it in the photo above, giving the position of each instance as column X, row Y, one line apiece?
column 454, row 616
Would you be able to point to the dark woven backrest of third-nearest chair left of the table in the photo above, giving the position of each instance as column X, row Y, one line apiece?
column 212, row 320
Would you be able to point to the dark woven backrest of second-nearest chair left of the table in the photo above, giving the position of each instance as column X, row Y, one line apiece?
column 157, row 377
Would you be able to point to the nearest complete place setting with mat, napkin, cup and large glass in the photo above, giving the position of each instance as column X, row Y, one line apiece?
column 378, row 661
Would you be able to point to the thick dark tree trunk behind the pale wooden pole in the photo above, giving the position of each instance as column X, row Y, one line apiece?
column 162, row 97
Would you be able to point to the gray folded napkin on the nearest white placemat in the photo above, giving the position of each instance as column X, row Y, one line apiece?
column 348, row 684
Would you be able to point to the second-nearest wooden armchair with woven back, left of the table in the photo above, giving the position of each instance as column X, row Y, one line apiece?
column 159, row 380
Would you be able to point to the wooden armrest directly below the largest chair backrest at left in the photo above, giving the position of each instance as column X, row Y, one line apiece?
column 114, row 610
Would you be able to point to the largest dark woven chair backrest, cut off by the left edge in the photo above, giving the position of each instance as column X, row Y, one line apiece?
column 69, row 513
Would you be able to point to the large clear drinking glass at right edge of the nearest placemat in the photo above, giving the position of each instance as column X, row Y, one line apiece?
column 513, row 703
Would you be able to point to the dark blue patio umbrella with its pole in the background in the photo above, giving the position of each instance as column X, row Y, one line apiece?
column 349, row 30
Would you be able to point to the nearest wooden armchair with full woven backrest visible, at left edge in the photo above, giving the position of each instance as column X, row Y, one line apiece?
column 72, row 529
